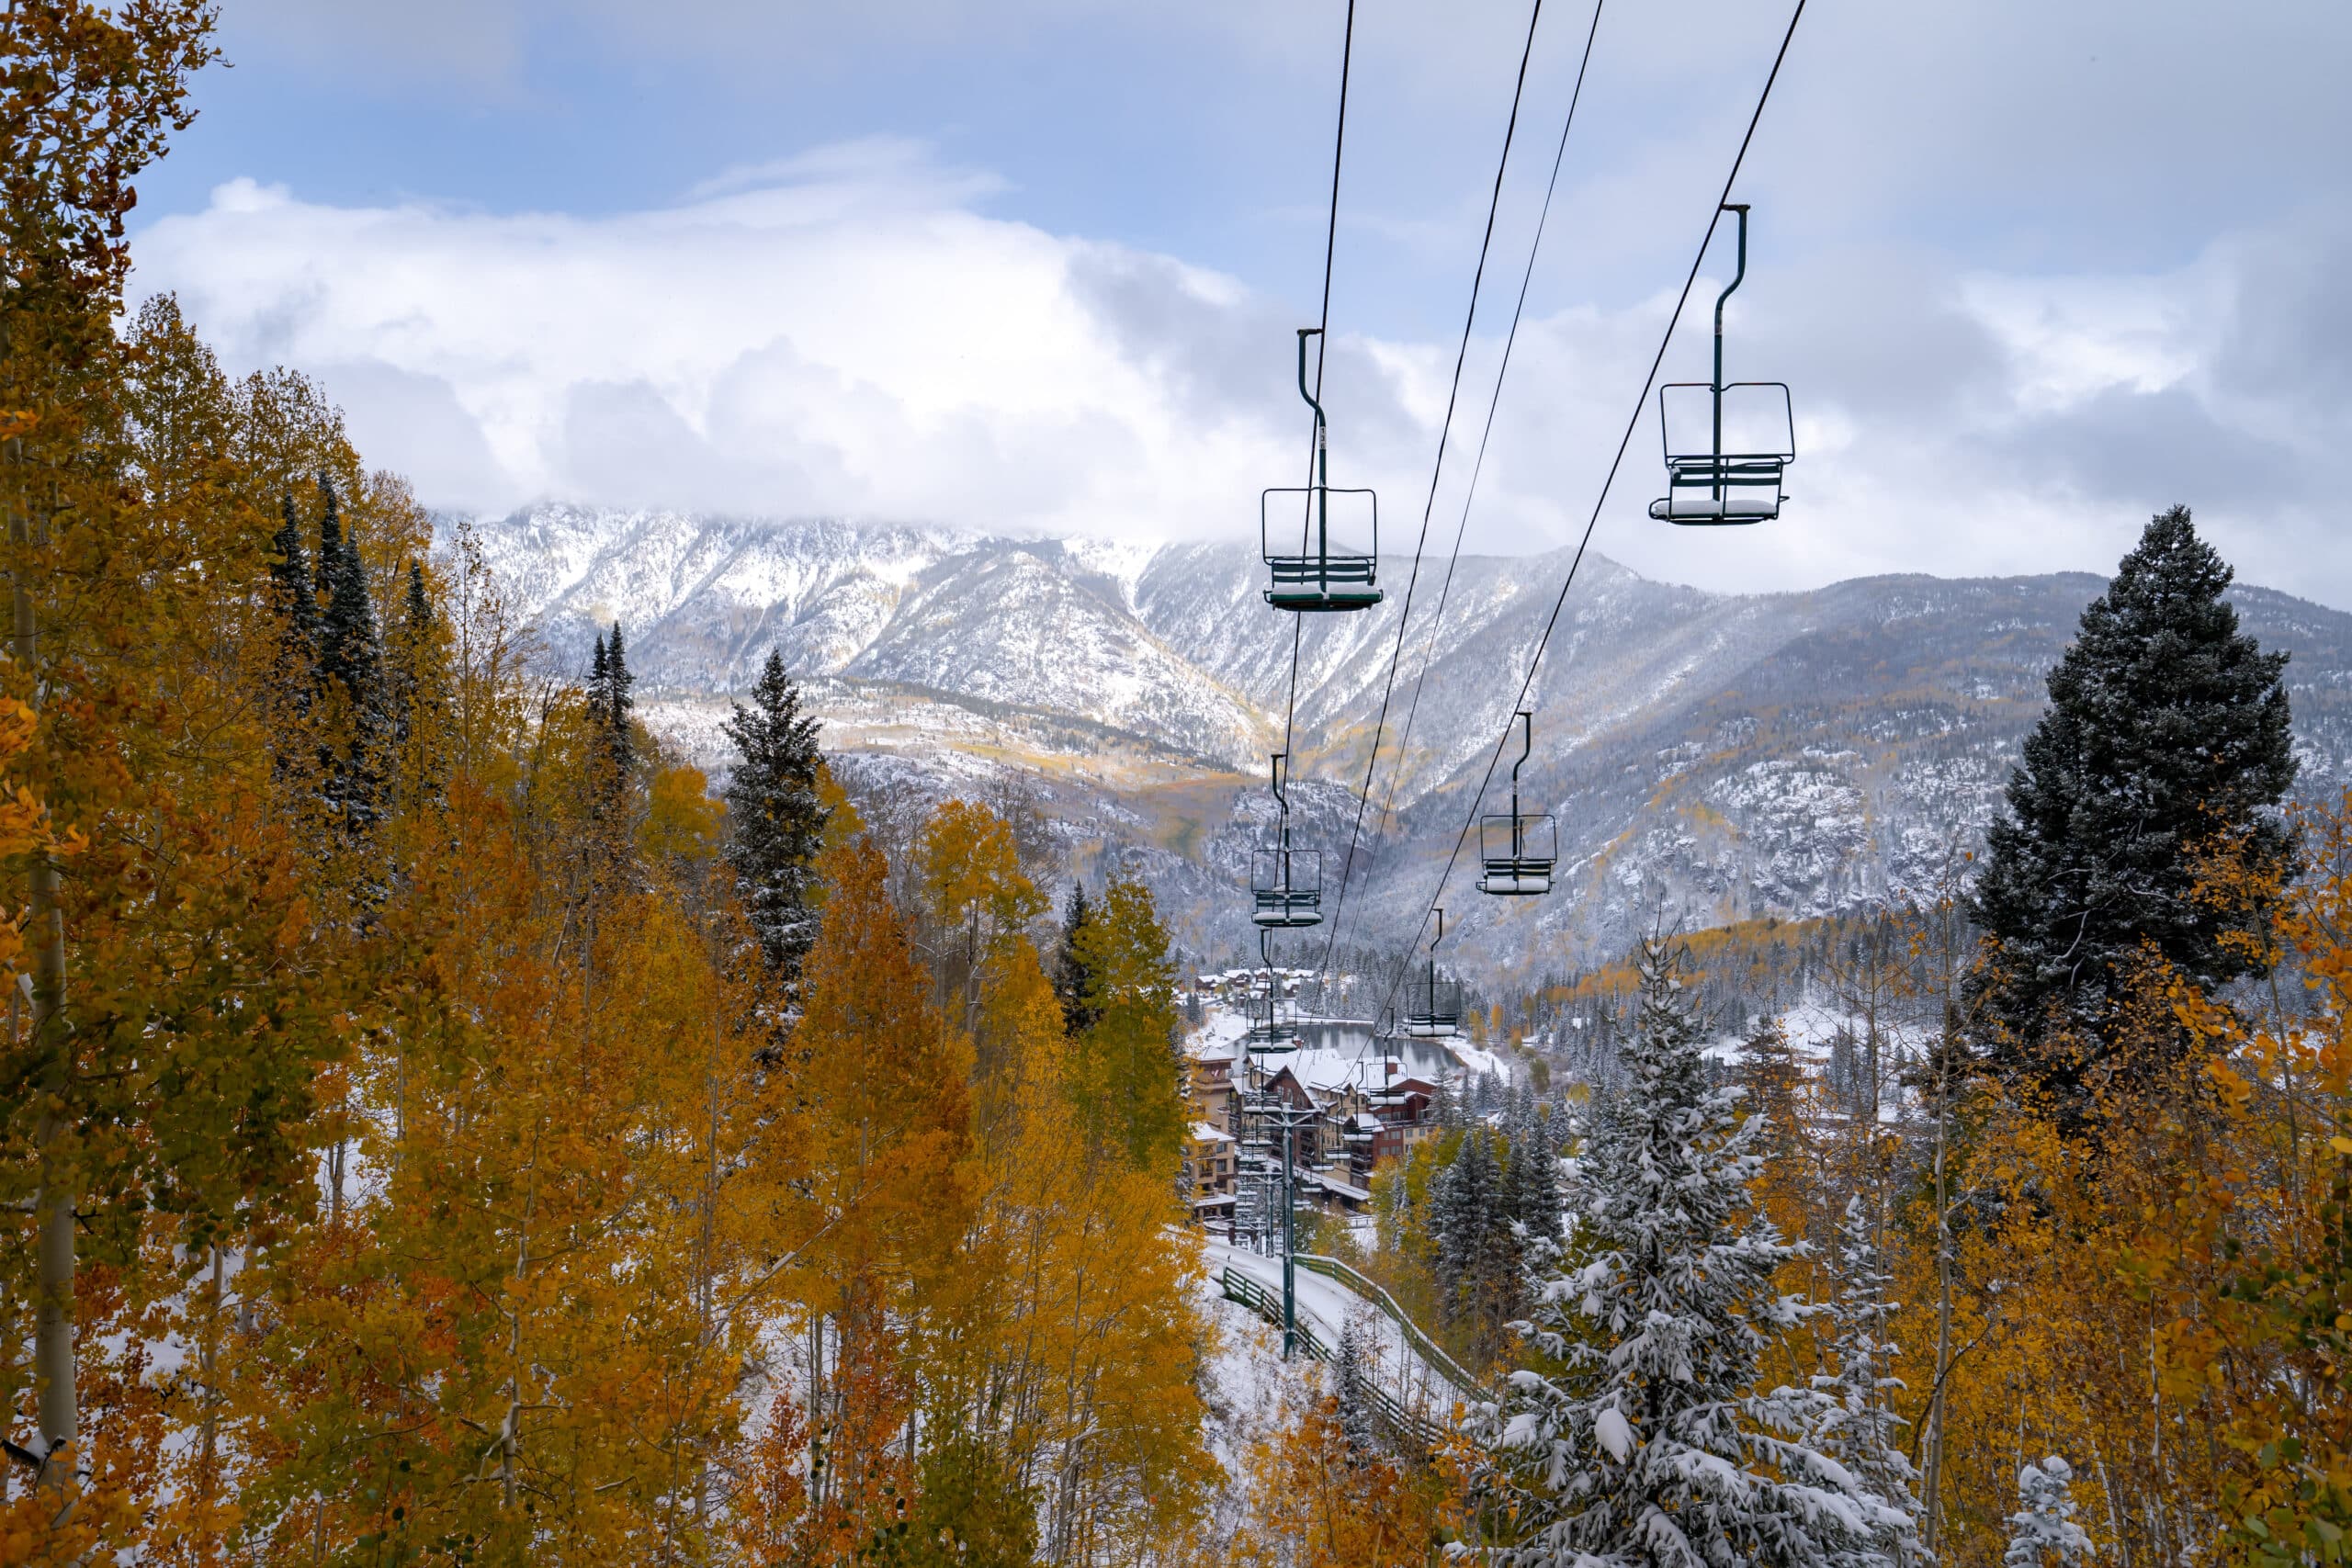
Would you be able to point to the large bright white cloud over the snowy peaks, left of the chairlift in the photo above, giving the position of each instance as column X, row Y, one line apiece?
column 853, row 340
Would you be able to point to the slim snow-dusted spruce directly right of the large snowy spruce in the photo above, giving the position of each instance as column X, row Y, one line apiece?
column 1857, row 1423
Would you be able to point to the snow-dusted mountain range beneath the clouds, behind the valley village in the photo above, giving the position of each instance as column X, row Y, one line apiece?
column 1706, row 756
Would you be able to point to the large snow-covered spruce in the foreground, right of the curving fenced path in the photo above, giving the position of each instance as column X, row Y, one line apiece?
column 1652, row 1445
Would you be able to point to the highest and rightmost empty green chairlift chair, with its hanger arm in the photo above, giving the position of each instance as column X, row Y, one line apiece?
column 1713, row 481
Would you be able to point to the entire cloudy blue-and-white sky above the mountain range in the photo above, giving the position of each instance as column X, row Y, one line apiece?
column 2033, row 272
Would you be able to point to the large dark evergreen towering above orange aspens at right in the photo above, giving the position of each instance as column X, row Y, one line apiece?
column 2167, row 735
